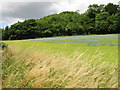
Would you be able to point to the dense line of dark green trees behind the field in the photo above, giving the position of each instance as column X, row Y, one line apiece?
column 98, row 19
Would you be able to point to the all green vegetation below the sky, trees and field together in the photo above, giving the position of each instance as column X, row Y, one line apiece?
column 76, row 62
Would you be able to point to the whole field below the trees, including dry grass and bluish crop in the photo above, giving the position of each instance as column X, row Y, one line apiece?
column 62, row 62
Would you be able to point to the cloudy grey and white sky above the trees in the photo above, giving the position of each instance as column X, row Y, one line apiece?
column 12, row 11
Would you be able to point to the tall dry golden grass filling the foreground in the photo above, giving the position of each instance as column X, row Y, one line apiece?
column 46, row 69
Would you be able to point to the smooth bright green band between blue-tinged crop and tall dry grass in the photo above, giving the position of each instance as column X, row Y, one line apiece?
column 110, row 52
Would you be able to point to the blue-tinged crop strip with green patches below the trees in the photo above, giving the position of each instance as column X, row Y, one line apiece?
column 96, row 40
